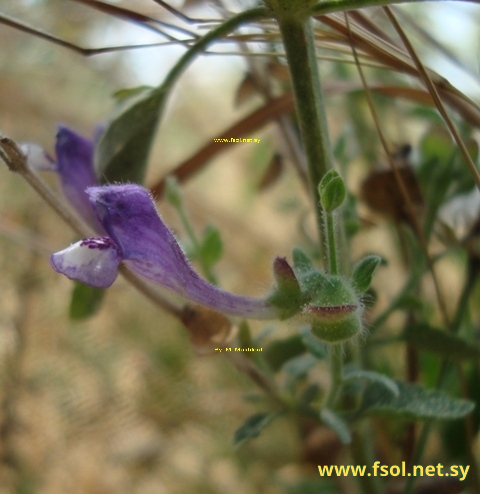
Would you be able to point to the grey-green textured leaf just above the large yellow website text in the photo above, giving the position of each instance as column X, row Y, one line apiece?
column 413, row 403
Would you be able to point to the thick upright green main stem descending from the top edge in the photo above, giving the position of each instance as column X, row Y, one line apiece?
column 299, row 46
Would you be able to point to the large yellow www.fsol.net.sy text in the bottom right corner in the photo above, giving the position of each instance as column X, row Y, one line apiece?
column 379, row 470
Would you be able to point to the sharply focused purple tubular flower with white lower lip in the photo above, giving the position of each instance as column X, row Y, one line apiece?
column 138, row 237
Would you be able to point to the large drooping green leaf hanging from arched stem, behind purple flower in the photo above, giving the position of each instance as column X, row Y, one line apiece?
column 122, row 153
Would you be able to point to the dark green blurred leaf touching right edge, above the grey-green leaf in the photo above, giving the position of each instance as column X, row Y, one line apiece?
column 439, row 341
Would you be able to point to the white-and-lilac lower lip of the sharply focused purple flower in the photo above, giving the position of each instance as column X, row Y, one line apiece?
column 93, row 261
